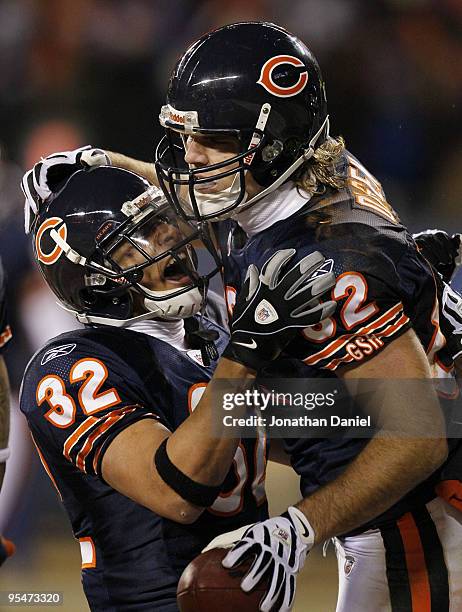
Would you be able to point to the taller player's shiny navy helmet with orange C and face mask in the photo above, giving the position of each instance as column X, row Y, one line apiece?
column 253, row 81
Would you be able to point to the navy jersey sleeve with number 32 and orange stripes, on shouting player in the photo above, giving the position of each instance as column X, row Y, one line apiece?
column 78, row 397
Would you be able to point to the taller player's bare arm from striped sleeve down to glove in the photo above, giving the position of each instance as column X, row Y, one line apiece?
column 410, row 445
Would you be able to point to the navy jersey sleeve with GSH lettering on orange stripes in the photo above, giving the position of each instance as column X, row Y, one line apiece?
column 371, row 291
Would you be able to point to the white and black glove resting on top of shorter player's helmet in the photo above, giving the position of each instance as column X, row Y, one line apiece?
column 49, row 173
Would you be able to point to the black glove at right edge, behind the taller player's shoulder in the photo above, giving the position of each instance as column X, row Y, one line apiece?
column 444, row 252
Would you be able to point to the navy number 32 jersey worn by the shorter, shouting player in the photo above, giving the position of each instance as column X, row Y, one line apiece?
column 78, row 393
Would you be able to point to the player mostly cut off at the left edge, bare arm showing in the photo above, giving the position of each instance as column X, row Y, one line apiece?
column 7, row 547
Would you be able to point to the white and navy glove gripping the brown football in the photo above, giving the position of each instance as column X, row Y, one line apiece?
column 281, row 545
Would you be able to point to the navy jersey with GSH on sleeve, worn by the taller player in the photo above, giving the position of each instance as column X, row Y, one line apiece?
column 384, row 286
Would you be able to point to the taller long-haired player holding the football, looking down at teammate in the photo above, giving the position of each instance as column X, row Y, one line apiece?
column 247, row 147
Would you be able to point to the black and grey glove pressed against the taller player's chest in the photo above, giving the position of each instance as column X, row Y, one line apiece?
column 273, row 304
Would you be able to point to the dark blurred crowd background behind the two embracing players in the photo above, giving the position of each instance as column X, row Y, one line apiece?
column 95, row 71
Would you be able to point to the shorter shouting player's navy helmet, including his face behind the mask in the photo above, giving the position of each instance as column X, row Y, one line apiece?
column 97, row 236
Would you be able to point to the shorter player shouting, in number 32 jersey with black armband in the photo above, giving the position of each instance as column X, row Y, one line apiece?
column 119, row 410
